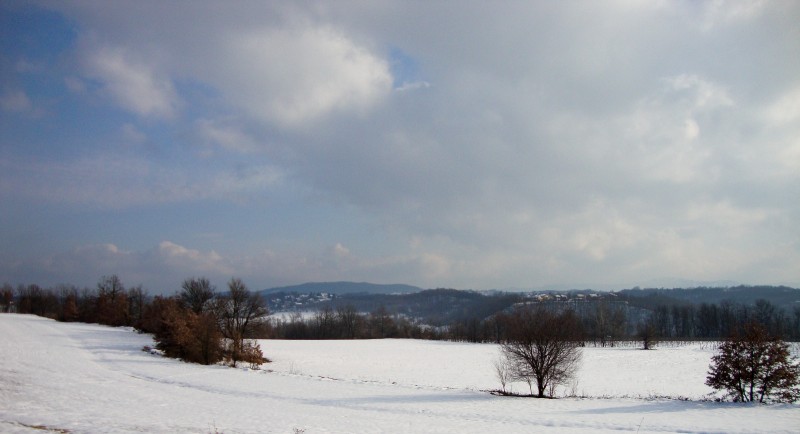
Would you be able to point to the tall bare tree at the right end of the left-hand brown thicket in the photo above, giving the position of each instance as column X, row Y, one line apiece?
column 238, row 312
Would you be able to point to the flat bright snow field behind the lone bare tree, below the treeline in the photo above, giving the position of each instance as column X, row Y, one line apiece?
column 606, row 372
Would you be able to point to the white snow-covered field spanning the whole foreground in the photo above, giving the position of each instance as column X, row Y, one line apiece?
column 89, row 378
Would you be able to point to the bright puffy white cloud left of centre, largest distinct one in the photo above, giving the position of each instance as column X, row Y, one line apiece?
column 296, row 75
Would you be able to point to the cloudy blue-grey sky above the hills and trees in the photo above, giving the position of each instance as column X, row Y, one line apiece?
column 472, row 145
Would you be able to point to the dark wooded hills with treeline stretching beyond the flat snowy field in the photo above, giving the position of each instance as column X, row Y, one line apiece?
column 477, row 317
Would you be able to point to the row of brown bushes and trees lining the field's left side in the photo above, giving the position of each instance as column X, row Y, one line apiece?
column 196, row 325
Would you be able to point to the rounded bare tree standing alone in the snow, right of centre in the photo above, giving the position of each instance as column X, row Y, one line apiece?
column 544, row 347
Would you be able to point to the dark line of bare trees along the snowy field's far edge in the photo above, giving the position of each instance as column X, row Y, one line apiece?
column 601, row 323
